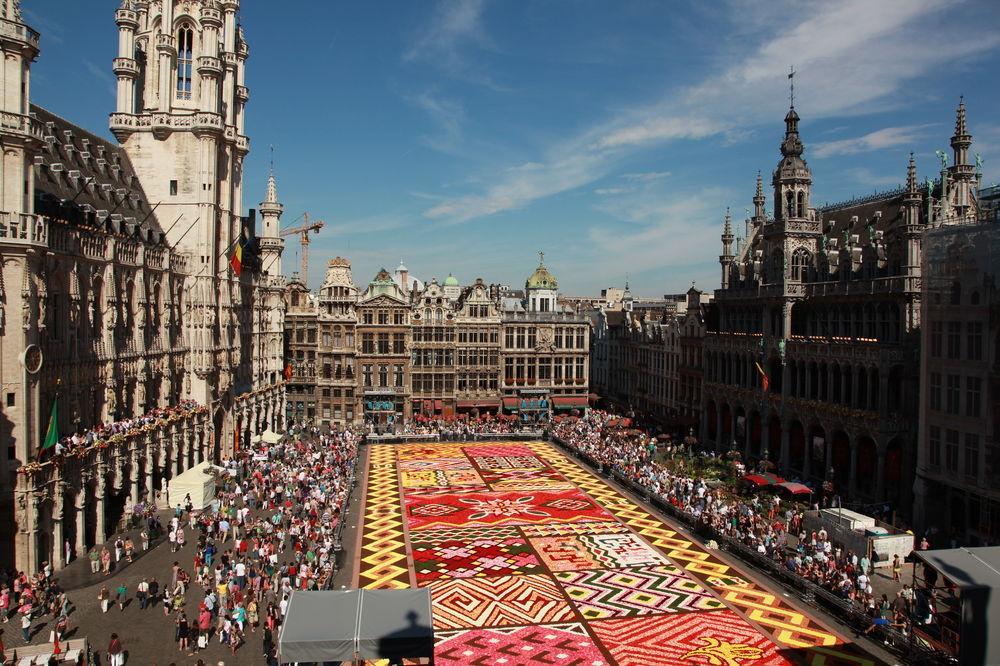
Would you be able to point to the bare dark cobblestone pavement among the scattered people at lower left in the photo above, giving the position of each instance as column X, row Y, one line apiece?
column 147, row 635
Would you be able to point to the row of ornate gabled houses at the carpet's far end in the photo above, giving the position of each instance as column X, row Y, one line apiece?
column 406, row 349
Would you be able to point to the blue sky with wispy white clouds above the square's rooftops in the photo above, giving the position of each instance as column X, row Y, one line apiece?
column 464, row 136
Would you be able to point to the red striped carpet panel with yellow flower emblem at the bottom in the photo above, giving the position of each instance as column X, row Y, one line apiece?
column 721, row 637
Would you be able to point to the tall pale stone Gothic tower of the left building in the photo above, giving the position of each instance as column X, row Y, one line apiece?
column 180, row 117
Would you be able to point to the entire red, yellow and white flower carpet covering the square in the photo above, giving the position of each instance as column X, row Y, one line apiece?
column 531, row 559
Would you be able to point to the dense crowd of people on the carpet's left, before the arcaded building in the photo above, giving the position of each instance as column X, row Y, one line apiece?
column 273, row 527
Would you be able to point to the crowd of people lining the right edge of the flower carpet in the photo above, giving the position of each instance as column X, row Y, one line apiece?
column 766, row 524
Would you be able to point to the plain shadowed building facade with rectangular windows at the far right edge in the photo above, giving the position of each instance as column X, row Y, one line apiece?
column 958, row 470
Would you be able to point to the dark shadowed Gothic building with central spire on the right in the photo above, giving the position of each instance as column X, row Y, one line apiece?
column 827, row 302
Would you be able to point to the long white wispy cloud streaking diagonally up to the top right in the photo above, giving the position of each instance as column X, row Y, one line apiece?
column 853, row 57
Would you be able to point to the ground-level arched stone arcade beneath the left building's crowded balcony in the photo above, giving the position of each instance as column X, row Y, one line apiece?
column 81, row 497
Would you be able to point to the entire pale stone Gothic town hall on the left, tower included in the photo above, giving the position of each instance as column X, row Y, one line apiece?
column 117, row 300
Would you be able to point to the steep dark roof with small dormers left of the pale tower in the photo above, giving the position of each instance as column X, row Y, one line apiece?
column 80, row 174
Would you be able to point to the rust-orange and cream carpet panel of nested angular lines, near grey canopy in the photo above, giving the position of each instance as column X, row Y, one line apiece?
column 497, row 602
